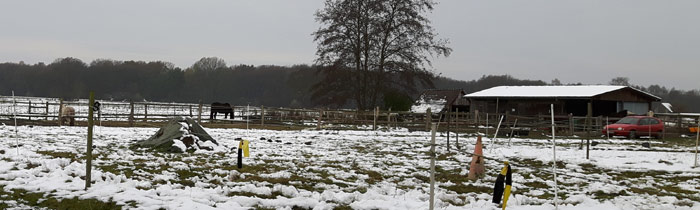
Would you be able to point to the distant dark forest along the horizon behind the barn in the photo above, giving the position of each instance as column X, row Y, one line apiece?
column 211, row 80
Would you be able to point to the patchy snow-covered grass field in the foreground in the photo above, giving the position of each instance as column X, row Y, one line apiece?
column 312, row 169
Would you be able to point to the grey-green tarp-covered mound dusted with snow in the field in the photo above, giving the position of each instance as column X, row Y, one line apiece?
column 174, row 129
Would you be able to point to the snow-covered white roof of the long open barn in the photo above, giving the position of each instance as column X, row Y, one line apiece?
column 580, row 91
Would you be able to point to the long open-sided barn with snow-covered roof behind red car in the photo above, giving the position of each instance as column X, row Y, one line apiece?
column 607, row 100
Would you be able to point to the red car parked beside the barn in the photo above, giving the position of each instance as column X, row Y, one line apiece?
column 635, row 126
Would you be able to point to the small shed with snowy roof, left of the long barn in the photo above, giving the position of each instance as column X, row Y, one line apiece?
column 439, row 100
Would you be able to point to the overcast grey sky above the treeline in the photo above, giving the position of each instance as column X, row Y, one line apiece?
column 588, row 41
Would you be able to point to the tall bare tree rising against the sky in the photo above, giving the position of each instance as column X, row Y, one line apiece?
column 366, row 47
